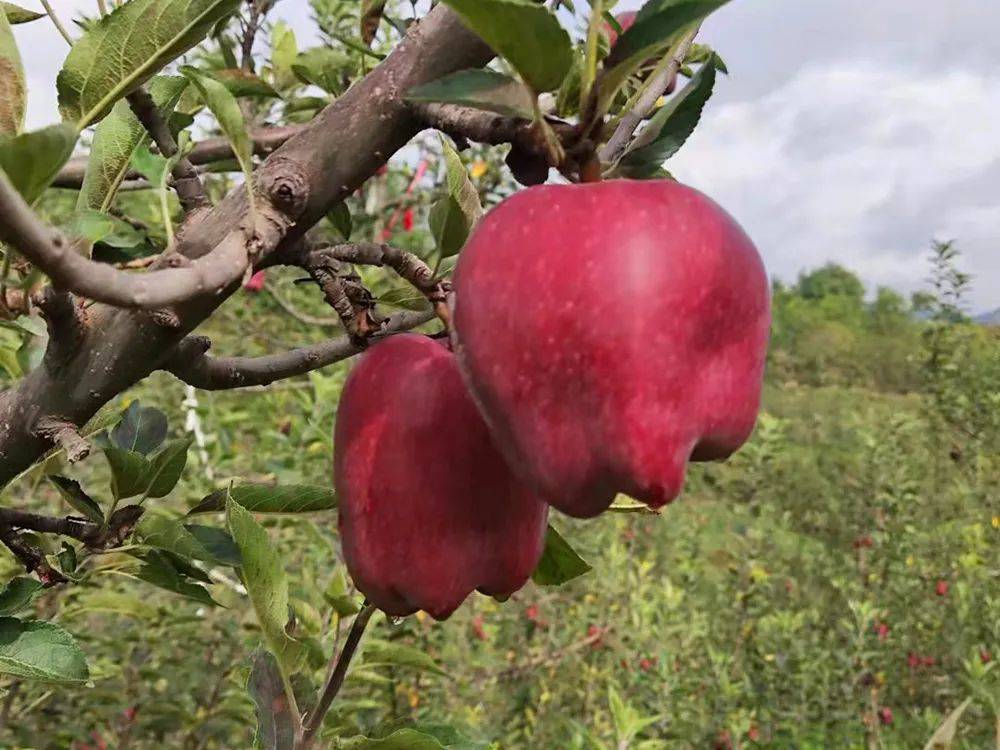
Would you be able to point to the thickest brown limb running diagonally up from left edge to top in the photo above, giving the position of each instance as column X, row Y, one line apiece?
column 329, row 158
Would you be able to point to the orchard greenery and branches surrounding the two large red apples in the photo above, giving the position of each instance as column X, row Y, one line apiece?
column 831, row 585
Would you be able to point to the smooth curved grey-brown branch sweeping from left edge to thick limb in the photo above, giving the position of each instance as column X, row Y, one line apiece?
column 54, row 256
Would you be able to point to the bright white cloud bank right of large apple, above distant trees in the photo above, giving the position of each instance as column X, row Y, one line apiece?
column 860, row 164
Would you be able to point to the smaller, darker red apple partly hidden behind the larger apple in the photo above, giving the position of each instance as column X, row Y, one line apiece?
column 428, row 509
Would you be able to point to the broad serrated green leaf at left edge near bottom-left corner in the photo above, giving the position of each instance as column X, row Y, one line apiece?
column 40, row 651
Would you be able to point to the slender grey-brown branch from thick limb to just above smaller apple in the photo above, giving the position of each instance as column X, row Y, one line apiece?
column 191, row 364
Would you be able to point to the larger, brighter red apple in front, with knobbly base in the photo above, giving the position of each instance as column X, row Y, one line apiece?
column 609, row 332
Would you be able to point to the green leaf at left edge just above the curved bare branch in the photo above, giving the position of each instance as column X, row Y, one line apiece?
column 32, row 160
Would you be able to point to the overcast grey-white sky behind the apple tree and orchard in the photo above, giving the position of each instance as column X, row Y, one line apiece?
column 848, row 130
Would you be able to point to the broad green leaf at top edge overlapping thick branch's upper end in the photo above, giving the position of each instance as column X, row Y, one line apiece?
column 525, row 34
